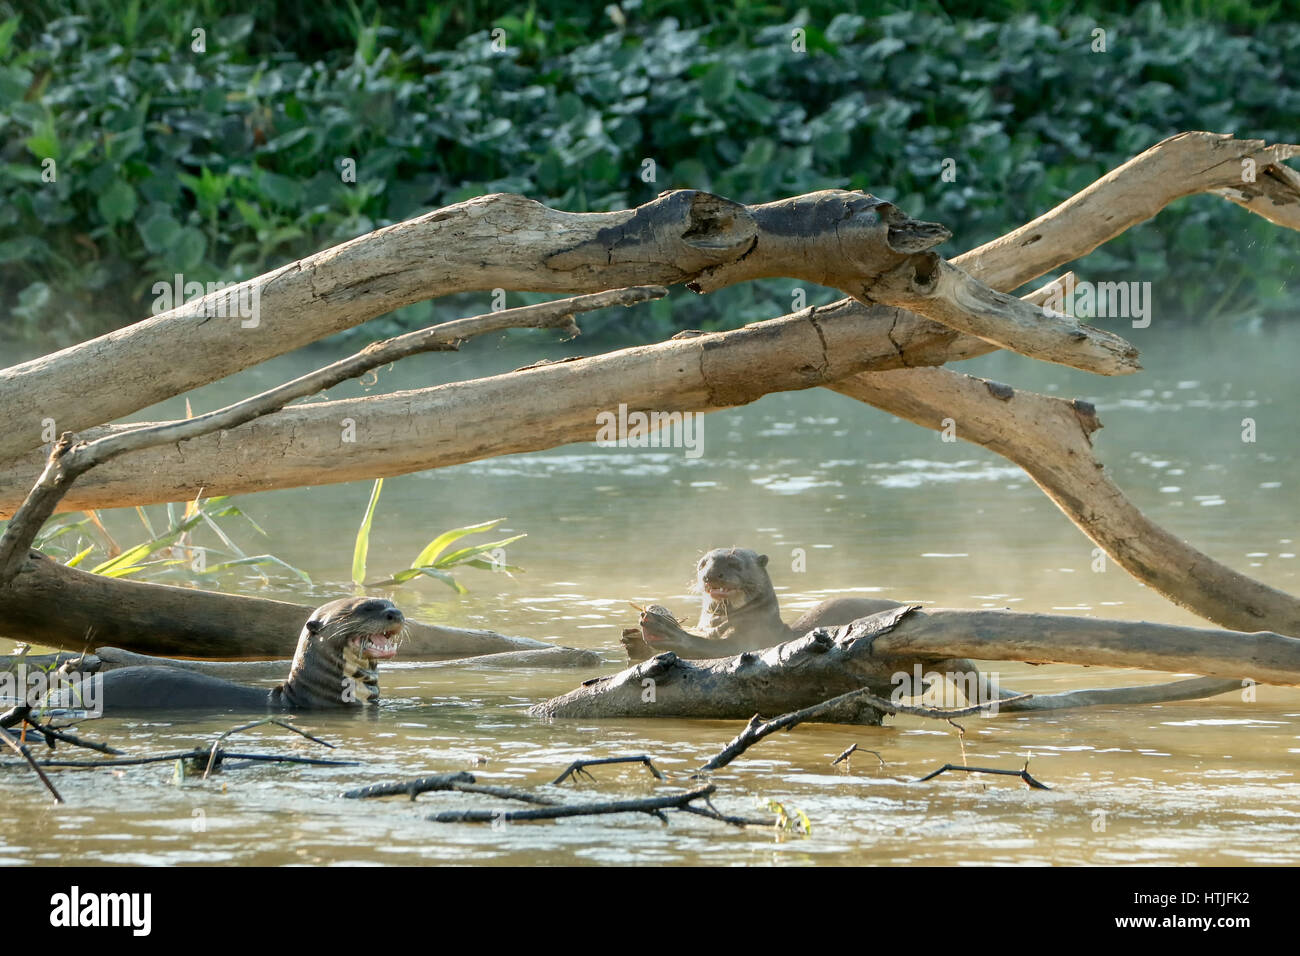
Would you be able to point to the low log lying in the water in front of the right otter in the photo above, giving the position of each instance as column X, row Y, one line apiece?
column 878, row 652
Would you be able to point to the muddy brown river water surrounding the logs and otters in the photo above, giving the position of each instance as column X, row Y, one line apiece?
column 876, row 507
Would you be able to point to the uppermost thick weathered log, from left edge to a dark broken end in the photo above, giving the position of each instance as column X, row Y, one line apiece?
column 499, row 241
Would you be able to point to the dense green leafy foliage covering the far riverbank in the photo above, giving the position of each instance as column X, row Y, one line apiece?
column 226, row 163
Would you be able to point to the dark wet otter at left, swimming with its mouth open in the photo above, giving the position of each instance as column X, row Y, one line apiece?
column 335, row 667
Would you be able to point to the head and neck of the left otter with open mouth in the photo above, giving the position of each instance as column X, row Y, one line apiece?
column 339, row 652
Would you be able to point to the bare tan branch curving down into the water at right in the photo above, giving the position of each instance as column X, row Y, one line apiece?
column 1051, row 439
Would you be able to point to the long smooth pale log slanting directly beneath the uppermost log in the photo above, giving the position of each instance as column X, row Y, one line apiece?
column 431, row 429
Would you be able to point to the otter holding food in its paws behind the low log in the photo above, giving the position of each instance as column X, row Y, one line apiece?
column 740, row 608
